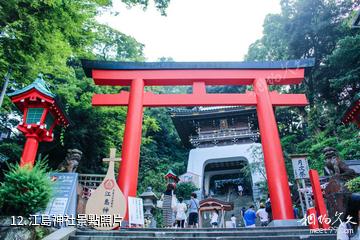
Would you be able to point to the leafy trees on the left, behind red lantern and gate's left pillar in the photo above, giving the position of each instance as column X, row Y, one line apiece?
column 51, row 37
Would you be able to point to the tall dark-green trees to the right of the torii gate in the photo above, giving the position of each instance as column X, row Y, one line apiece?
column 319, row 29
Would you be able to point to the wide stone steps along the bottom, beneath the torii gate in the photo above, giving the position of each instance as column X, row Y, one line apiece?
column 258, row 233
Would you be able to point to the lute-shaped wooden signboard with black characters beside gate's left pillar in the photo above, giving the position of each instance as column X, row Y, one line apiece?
column 107, row 200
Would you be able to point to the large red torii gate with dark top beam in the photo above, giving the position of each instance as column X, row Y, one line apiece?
column 137, row 75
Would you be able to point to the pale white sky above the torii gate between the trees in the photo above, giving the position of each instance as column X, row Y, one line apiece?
column 194, row 30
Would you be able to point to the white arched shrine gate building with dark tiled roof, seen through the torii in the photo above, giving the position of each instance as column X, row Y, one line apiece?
column 224, row 146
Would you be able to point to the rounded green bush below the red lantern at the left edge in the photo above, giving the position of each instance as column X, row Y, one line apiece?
column 25, row 191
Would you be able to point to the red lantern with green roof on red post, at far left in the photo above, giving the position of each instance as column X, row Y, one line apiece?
column 41, row 114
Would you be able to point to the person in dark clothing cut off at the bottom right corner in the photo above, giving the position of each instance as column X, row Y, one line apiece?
column 350, row 230
